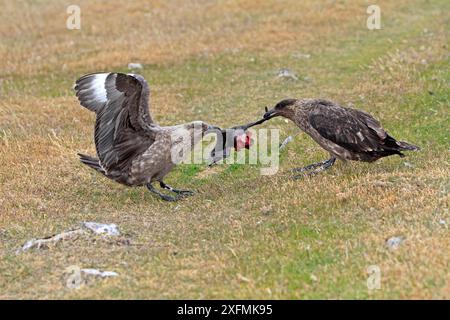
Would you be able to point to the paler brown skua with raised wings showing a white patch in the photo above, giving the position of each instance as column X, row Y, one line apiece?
column 131, row 148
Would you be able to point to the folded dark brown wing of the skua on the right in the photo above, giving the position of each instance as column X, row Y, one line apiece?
column 351, row 129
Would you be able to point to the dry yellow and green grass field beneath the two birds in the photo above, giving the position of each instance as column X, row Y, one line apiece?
column 242, row 235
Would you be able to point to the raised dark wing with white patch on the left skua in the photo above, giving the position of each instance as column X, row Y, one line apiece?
column 123, row 123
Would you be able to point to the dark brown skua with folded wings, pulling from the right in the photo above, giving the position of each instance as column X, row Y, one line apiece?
column 346, row 133
